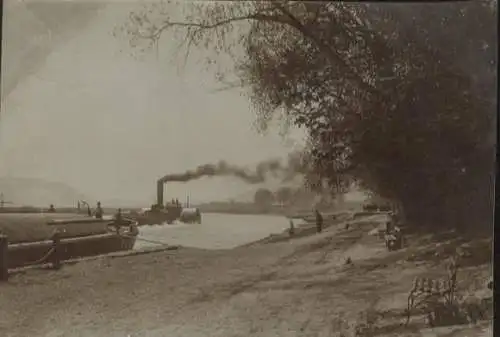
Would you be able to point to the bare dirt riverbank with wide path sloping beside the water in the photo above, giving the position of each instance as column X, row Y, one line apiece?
column 295, row 287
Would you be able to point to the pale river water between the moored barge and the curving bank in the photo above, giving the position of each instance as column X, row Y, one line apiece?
column 217, row 231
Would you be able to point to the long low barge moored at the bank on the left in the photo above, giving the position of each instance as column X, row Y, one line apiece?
column 80, row 236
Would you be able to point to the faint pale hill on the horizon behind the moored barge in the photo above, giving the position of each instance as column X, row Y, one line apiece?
column 38, row 192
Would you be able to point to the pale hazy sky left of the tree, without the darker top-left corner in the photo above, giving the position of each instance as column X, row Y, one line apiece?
column 110, row 125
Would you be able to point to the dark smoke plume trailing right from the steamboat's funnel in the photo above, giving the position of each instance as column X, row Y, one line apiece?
column 274, row 167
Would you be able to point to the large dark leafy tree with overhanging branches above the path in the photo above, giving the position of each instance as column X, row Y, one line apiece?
column 395, row 97
